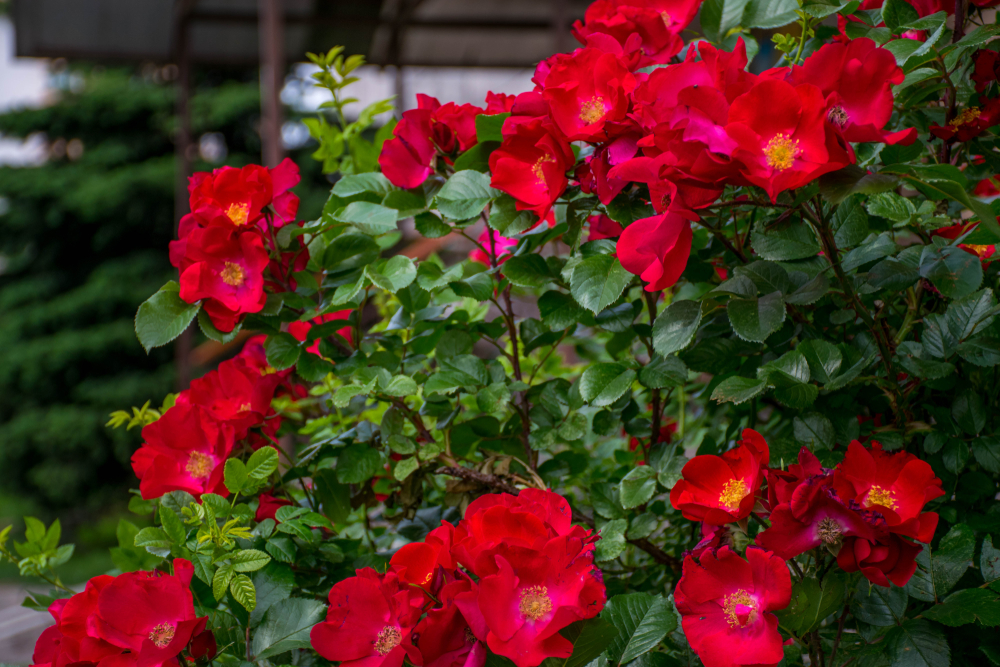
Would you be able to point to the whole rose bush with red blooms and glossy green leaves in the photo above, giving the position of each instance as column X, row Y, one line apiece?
column 717, row 382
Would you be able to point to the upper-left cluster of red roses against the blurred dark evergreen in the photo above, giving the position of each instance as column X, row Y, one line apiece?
column 222, row 252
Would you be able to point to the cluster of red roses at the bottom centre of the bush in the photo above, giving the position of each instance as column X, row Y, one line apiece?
column 534, row 575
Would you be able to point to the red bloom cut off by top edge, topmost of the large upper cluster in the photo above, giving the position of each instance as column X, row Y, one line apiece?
column 656, row 23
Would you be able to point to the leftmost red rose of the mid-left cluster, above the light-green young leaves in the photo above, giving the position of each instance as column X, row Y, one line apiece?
column 184, row 450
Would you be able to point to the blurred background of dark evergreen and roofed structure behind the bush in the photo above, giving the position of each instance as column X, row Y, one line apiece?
column 106, row 106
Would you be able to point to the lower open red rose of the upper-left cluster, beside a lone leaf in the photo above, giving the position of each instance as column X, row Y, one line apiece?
column 225, row 268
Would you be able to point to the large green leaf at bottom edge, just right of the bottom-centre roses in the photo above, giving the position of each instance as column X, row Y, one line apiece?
column 642, row 621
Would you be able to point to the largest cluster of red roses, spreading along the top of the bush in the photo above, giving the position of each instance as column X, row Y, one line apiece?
column 685, row 129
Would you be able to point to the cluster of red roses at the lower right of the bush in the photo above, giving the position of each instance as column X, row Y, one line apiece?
column 862, row 511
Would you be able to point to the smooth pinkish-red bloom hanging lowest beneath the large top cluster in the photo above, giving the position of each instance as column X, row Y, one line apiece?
column 656, row 249
